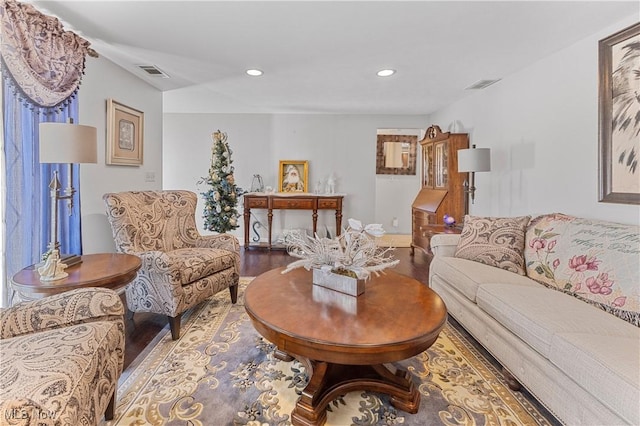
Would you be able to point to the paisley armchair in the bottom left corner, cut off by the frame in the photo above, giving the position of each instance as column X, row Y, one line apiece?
column 60, row 358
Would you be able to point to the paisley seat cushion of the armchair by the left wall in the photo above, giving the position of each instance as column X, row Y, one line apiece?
column 193, row 264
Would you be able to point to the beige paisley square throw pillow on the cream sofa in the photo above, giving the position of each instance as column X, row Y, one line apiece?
column 494, row 241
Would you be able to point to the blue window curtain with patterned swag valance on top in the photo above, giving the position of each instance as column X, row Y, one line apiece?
column 42, row 65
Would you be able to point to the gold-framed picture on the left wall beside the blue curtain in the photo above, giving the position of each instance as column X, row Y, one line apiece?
column 125, row 134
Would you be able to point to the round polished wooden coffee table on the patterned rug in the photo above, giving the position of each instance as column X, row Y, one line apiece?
column 344, row 341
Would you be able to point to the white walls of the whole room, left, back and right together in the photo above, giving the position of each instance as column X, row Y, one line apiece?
column 541, row 124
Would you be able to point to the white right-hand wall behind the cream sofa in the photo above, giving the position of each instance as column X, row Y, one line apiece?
column 542, row 127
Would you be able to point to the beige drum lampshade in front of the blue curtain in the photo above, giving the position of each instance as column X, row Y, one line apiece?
column 68, row 143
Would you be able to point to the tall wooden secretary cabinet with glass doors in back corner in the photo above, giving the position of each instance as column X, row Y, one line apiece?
column 442, row 189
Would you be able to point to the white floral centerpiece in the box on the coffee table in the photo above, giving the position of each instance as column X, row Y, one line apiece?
column 353, row 253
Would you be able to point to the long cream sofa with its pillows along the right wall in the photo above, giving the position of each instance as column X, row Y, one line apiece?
column 566, row 325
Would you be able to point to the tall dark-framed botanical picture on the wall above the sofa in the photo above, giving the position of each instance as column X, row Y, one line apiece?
column 619, row 116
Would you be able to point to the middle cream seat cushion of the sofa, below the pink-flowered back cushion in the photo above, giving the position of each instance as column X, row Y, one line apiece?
column 536, row 314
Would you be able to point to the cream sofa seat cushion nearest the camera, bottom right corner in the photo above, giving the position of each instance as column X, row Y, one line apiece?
column 604, row 365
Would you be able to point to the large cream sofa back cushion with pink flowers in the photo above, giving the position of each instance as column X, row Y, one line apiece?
column 595, row 261
